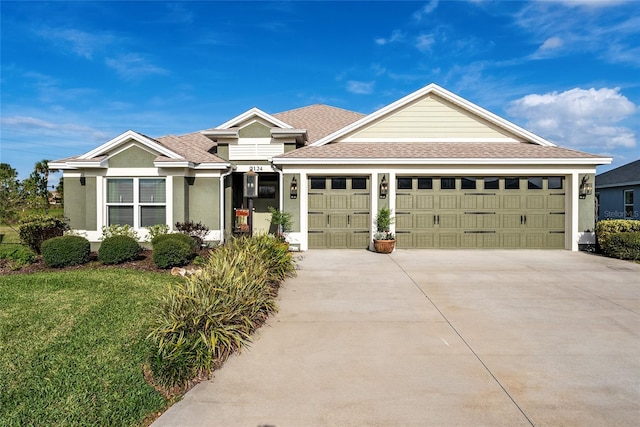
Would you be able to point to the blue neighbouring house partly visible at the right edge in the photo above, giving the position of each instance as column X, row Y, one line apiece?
column 618, row 192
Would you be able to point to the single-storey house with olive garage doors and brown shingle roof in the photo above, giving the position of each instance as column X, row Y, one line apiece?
column 454, row 174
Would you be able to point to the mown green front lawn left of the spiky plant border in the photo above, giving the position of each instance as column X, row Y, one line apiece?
column 72, row 346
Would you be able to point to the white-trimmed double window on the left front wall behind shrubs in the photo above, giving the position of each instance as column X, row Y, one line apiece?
column 138, row 202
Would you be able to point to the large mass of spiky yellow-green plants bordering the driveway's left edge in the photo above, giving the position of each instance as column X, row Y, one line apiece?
column 212, row 314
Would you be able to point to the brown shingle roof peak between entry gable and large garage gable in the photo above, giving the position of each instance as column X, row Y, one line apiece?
column 319, row 120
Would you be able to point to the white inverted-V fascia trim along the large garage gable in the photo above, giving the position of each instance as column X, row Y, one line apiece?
column 449, row 96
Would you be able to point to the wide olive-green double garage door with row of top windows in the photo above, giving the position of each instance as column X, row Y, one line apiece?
column 483, row 212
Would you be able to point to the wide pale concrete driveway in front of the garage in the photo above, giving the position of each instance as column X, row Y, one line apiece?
column 437, row 338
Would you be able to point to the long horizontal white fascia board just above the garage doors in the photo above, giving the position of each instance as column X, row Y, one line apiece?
column 441, row 161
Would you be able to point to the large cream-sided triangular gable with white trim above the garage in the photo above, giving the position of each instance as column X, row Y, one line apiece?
column 432, row 114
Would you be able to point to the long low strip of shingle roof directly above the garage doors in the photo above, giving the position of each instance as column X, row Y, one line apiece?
column 437, row 150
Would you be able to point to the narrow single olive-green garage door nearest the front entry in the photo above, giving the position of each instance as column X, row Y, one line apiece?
column 339, row 212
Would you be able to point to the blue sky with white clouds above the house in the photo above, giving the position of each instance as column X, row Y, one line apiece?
column 76, row 74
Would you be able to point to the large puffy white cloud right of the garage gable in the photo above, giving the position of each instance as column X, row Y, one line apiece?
column 579, row 117
